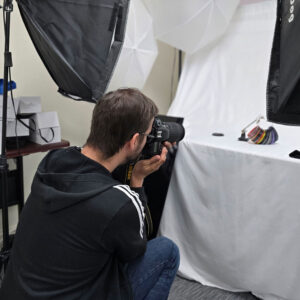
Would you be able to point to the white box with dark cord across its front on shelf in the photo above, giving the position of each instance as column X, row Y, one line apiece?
column 47, row 128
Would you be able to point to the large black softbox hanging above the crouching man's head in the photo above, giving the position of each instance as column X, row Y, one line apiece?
column 79, row 41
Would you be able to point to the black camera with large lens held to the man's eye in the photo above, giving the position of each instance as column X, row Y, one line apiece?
column 162, row 132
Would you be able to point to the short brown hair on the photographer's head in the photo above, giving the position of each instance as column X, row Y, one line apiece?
column 117, row 117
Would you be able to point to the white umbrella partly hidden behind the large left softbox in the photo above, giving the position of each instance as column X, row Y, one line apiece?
column 139, row 50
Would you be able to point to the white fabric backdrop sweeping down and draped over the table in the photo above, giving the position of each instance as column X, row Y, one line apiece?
column 233, row 208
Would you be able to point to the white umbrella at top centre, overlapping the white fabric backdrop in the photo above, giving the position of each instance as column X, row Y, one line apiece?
column 190, row 24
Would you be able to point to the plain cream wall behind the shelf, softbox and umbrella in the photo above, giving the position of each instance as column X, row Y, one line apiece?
column 33, row 80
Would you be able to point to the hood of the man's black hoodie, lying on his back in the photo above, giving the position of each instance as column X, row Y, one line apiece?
column 65, row 177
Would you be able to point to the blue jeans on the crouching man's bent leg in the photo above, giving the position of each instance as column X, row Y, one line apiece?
column 152, row 274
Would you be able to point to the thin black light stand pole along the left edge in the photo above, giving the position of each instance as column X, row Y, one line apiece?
column 7, row 7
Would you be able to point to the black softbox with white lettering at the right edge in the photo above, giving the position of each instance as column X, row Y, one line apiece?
column 283, row 88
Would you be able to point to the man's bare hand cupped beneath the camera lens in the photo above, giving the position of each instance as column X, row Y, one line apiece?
column 145, row 167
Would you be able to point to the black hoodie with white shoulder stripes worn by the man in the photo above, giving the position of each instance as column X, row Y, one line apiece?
column 78, row 229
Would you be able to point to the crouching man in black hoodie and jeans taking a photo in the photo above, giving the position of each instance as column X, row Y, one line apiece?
column 81, row 233
